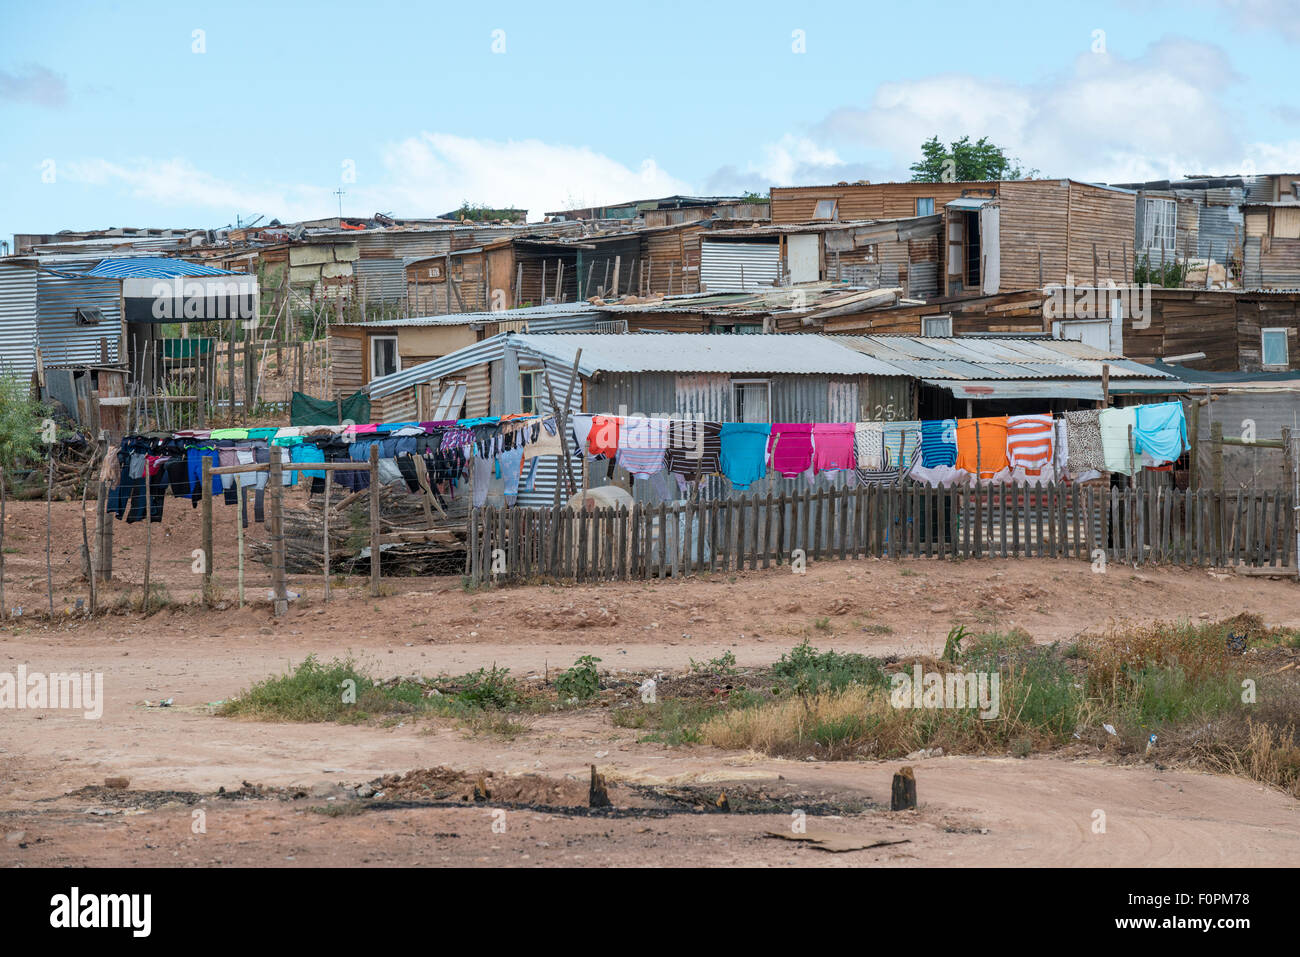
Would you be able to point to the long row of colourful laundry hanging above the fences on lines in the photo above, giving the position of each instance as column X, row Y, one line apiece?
column 1033, row 449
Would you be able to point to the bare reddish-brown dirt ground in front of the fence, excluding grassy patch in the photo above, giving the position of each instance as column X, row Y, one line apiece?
column 285, row 802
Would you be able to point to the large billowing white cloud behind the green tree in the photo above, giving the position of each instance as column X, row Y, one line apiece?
column 1107, row 119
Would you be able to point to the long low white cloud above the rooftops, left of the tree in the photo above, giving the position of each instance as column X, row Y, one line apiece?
column 421, row 176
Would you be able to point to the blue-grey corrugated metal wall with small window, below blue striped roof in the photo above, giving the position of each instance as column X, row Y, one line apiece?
column 62, row 340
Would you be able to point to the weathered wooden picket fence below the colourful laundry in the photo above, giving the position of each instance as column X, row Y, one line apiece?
column 1134, row 526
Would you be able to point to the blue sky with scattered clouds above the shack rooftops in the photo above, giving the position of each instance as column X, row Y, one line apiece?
column 207, row 115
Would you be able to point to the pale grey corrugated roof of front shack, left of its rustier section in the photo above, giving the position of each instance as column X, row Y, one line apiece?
column 795, row 354
